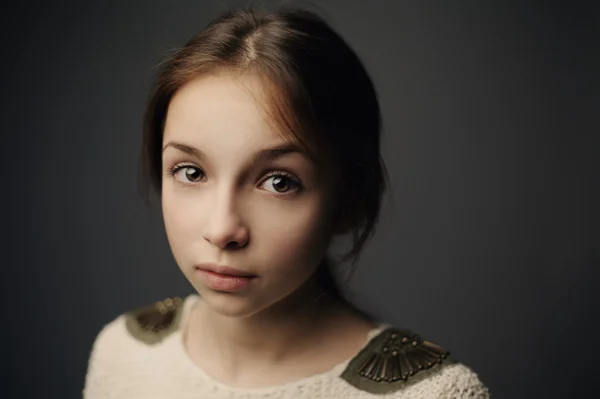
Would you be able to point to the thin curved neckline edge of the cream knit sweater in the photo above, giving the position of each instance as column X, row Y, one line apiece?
column 332, row 373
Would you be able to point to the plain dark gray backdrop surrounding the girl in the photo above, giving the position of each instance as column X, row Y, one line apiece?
column 488, row 245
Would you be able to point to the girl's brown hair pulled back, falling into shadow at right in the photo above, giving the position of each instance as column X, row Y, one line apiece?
column 321, row 95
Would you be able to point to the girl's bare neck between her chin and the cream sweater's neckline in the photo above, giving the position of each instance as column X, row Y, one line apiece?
column 285, row 332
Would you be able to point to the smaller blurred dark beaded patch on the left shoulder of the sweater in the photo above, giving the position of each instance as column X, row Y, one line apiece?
column 151, row 324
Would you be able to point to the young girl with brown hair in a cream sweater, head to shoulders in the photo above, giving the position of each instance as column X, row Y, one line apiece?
column 262, row 137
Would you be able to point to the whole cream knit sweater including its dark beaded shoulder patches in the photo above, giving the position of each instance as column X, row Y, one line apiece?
column 126, row 364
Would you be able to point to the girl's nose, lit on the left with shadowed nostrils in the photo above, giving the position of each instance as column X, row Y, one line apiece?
column 225, row 228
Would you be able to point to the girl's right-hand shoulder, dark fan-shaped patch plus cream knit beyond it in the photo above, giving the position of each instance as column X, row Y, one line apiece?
column 396, row 361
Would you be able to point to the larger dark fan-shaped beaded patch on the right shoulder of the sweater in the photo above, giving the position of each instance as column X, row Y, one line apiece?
column 392, row 359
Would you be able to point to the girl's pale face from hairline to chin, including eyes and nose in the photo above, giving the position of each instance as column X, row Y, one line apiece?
column 236, row 194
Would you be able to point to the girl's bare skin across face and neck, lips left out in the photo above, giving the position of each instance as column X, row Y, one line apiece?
column 223, row 203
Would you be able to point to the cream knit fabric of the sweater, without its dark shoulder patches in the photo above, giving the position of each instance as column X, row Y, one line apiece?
column 122, row 367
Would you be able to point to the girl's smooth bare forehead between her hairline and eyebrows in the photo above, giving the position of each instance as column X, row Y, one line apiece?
column 221, row 106
